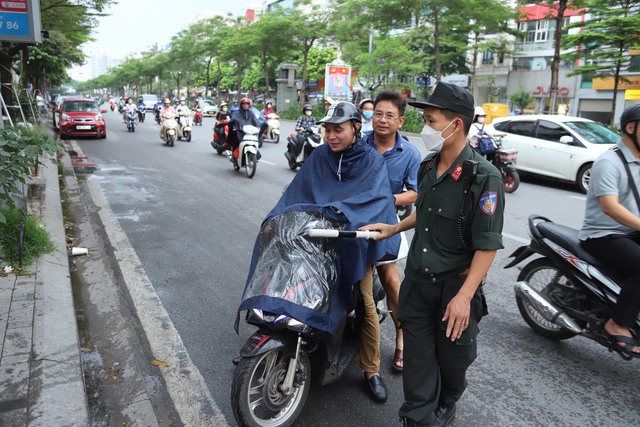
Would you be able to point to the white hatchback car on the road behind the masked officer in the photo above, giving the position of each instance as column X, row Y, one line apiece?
column 561, row 147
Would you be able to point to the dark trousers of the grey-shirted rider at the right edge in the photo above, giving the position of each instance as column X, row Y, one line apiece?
column 621, row 253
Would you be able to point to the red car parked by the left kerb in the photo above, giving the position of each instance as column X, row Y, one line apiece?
column 81, row 117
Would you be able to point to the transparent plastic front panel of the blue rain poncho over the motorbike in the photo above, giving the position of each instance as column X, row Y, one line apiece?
column 300, row 269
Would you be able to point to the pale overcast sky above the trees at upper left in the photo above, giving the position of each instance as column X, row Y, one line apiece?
column 135, row 25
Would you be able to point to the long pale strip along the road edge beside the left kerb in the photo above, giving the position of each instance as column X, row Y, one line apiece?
column 186, row 386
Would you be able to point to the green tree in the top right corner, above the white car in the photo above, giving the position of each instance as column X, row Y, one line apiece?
column 610, row 30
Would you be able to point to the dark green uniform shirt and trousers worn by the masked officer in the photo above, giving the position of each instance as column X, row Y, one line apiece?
column 434, row 367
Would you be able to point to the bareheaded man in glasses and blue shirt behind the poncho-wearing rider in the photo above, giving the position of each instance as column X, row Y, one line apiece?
column 402, row 160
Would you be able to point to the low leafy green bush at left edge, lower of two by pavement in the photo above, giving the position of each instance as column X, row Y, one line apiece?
column 36, row 239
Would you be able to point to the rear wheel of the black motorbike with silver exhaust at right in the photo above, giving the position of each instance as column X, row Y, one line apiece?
column 545, row 278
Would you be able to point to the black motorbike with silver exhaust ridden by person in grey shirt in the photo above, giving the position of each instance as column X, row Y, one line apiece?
column 567, row 292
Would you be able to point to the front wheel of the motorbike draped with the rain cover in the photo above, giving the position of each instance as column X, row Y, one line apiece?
column 256, row 396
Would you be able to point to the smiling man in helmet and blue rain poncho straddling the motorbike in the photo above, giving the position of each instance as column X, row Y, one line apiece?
column 347, row 174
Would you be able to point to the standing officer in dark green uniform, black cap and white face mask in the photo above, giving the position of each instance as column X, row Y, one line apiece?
column 458, row 225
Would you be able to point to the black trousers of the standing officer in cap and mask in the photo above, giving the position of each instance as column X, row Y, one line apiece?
column 434, row 372
